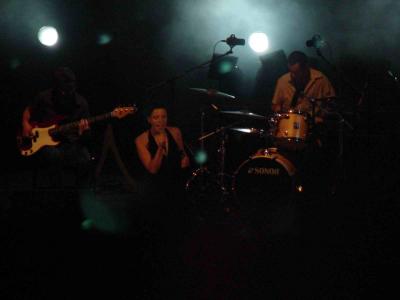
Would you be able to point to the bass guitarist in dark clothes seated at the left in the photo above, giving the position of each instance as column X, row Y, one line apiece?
column 57, row 105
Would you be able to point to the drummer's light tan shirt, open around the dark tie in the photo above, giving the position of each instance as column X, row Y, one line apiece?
column 318, row 87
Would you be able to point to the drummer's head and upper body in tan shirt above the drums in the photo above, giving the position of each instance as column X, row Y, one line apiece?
column 295, row 89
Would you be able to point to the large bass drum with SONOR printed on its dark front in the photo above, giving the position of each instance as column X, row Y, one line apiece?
column 264, row 186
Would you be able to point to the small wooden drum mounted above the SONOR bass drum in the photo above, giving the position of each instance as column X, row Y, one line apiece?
column 291, row 130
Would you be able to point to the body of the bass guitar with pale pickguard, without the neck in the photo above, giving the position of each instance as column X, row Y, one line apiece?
column 40, row 138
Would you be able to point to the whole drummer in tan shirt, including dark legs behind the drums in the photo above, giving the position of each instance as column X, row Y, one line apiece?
column 295, row 91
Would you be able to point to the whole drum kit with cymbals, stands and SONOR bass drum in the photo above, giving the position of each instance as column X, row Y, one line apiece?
column 267, row 175
